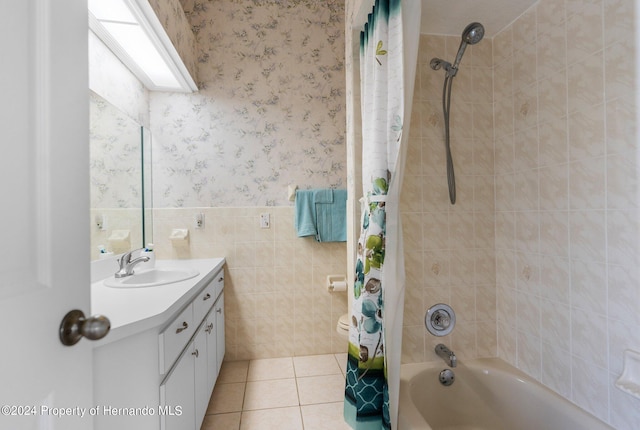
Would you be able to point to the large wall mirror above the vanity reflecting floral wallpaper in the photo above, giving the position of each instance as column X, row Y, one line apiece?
column 120, row 180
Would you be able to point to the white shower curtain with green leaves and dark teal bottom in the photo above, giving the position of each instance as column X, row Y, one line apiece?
column 388, row 55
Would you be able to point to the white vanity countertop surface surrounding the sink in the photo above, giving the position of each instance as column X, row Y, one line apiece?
column 133, row 310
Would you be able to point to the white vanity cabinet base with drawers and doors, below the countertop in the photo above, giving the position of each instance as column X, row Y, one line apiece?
column 162, row 377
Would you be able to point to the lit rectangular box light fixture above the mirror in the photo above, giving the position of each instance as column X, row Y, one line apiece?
column 135, row 35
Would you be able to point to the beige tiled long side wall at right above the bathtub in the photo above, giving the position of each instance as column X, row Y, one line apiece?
column 567, row 196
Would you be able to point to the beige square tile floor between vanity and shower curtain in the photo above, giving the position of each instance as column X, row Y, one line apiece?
column 293, row 393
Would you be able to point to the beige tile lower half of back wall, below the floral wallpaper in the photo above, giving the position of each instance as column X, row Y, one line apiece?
column 276, row 299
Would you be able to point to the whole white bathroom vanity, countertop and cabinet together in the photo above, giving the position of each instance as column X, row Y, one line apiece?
column 157, row 367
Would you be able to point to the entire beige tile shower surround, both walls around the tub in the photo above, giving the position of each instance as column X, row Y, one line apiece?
column 564, row 205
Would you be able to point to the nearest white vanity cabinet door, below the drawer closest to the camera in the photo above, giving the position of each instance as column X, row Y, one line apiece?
column 177, row 395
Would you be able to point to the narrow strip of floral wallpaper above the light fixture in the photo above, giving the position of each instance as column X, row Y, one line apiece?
column 174, row 21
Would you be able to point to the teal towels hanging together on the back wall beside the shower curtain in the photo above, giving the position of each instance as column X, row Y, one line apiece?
column 322, row 214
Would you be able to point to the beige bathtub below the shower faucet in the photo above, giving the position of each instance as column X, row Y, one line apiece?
column 487, row 394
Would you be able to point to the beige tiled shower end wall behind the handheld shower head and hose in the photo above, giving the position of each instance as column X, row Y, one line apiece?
column 449, row 249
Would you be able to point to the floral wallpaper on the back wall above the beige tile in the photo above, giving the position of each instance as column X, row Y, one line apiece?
column 269, row 112
